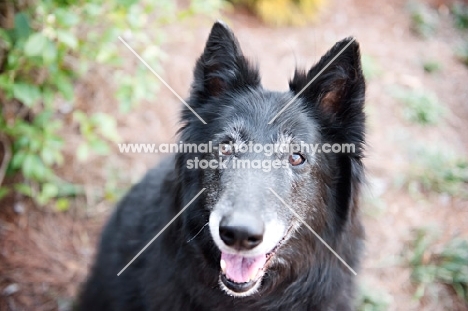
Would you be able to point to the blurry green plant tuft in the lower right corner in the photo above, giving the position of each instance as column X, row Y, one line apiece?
column 432, row 265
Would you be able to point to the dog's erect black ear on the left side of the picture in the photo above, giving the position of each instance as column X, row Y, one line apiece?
column 222, row 66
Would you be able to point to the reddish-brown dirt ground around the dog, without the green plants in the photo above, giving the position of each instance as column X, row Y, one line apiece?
column 45, row 255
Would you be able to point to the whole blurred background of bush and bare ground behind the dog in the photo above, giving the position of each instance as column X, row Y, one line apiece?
column 70, row 91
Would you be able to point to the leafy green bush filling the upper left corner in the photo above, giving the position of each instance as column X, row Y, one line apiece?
column 51, row 45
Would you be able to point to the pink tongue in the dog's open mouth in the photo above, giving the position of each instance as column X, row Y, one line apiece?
column 239, row 269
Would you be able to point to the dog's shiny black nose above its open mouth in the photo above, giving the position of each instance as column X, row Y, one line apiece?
column 242, row 232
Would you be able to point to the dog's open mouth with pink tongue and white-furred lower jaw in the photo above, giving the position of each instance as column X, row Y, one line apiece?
column 242, row 276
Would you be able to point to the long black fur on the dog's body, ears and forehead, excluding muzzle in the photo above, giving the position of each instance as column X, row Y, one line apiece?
column 180, row 270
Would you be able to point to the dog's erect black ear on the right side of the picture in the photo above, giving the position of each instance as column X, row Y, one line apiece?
column 338, row 87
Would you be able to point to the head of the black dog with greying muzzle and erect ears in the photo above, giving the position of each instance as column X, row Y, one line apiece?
column 256, row 201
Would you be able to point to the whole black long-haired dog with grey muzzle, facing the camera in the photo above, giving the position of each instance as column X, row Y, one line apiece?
column 246, row 243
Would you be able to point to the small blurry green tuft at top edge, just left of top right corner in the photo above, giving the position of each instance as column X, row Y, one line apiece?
column 423, row 19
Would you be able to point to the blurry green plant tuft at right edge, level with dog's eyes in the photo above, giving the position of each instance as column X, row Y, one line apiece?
column 439, row 170
